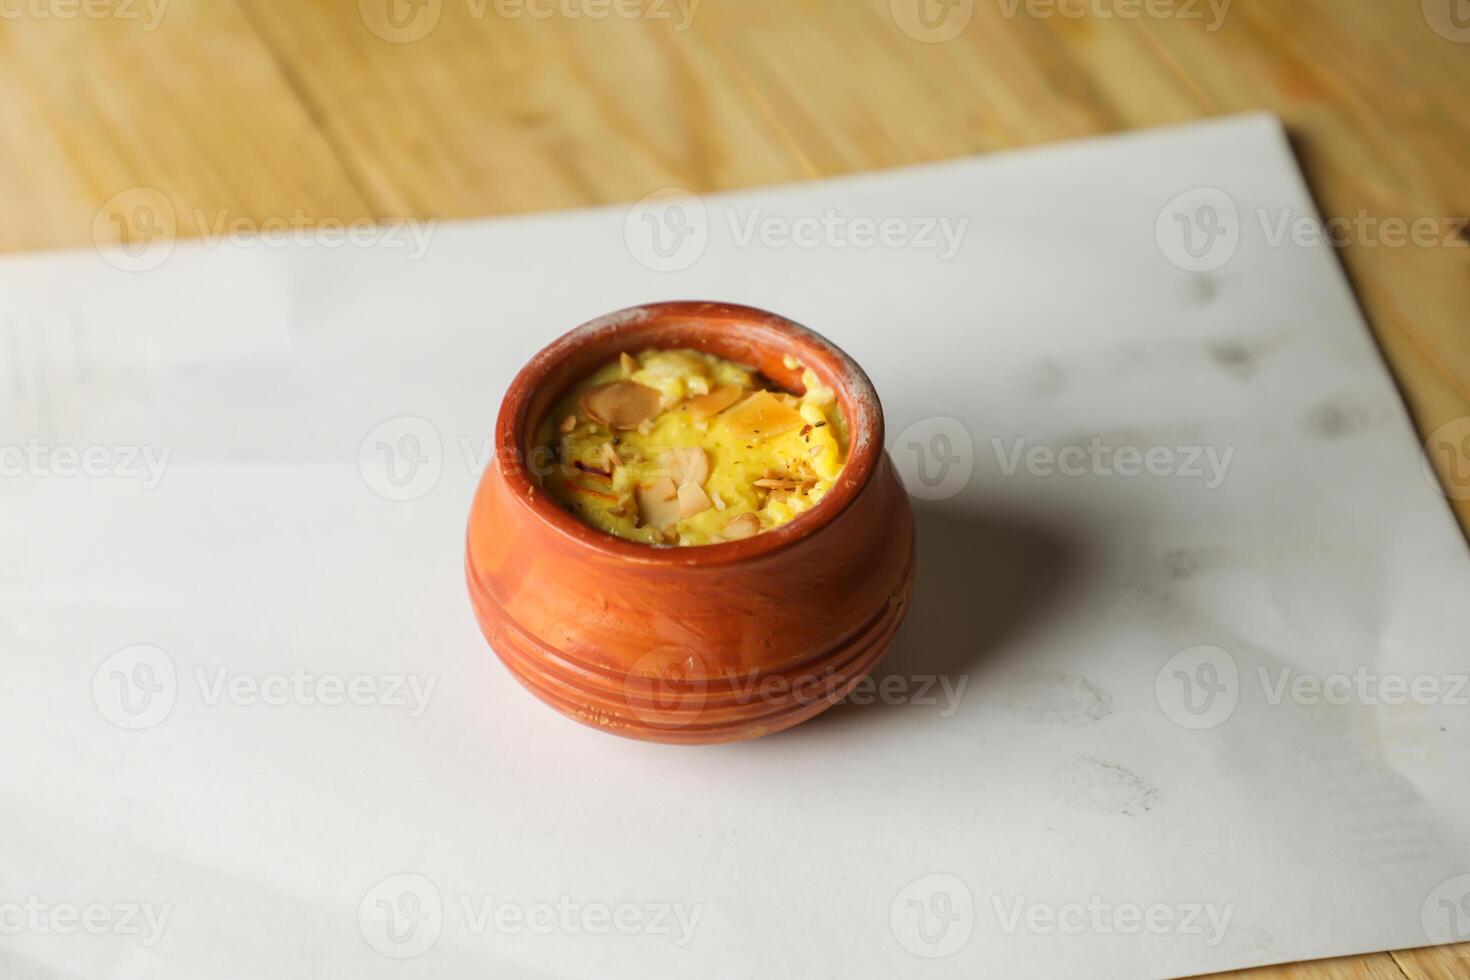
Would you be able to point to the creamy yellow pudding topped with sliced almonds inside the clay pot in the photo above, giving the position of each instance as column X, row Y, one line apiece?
column 686, row 449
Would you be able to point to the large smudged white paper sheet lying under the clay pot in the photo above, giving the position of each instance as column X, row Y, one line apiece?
column 1065, row 813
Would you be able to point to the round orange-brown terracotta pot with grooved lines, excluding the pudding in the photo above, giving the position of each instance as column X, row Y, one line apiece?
column 708, row 644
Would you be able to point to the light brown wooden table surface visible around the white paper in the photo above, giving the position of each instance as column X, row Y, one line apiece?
column 336, row 109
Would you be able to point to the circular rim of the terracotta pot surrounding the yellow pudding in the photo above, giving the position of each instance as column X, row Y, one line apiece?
column 772, row 334
